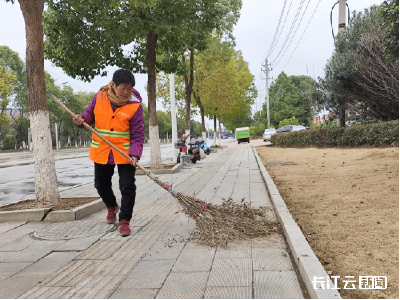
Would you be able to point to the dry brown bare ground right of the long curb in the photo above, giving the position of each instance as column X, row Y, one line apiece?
column 346, row 202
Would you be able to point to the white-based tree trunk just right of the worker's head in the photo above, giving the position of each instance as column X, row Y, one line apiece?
column 155, row 158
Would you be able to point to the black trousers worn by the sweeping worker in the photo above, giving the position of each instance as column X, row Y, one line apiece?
column 103, row 183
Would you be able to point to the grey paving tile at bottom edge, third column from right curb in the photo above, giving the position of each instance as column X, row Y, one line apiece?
column 184, row 286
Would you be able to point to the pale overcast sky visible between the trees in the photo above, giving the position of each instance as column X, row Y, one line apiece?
column 306, row 52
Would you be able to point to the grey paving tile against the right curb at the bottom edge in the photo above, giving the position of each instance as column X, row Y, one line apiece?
column 276, row 285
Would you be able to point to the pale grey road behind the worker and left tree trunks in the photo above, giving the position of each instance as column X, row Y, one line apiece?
column 18, row 182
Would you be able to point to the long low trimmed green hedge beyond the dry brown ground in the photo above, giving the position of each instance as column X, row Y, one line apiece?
column 369, row 135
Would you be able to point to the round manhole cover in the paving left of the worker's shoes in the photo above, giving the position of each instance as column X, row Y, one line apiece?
column 73, row 230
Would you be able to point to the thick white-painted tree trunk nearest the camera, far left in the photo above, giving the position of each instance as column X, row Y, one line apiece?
column 46, row 186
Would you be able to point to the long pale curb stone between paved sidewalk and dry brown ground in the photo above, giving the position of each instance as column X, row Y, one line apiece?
column 305, row 258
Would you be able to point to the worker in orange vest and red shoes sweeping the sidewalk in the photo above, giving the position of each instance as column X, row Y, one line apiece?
column 117, row 114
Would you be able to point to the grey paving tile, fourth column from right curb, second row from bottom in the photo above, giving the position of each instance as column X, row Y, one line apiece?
column 148, row 275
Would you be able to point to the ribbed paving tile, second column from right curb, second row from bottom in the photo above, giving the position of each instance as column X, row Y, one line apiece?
column 234, row 272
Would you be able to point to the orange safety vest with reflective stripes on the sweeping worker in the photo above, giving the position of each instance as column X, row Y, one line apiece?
column 115, row 127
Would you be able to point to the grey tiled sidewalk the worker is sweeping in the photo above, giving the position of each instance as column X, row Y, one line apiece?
column 157, row 261
